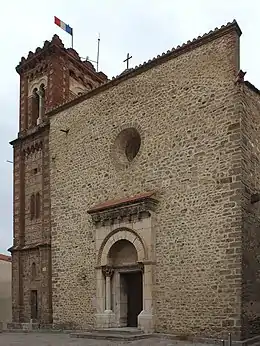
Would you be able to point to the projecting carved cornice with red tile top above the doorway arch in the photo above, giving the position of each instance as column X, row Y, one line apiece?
column 127, row 209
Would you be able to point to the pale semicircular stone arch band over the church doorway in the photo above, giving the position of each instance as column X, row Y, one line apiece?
column 122, row 234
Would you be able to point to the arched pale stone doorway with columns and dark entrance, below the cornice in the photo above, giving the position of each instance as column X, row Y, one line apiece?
column 124, row 281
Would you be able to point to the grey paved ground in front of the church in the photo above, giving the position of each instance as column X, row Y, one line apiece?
column 48, row 339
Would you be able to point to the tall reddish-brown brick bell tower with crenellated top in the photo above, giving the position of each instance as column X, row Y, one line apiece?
column 51, row 76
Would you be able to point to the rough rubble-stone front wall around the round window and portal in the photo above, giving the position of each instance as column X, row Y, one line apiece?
column 186, row 111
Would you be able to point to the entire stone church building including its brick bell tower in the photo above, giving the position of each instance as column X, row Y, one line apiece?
column 136, row 201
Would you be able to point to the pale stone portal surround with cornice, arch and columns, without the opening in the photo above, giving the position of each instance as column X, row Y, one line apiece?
column 132, row 220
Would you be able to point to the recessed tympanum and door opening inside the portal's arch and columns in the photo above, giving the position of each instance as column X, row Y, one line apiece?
column 127, row 283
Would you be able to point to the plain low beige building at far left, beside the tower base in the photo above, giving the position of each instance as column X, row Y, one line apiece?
column 5, row 289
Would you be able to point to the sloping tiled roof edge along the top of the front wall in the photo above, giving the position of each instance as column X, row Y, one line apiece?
column 170, row 54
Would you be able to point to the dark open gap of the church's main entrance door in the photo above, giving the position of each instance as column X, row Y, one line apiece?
column 134, row 291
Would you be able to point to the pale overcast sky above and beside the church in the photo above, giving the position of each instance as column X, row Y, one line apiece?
column 144, row 28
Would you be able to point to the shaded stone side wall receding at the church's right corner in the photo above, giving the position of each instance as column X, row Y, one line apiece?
column 250, row 143
